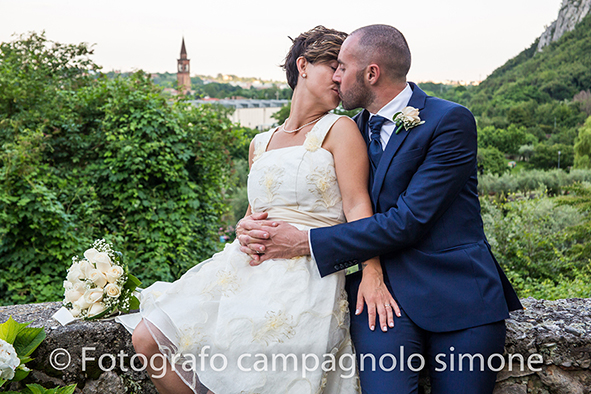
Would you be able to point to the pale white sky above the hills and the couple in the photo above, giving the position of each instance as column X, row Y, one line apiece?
column 450, row 40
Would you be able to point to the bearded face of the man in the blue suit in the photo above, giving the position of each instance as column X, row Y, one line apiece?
column 350, row 76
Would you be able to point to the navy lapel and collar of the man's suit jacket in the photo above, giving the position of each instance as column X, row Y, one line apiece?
column 417, row 100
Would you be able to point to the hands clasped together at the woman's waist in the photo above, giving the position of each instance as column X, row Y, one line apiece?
column 264, row 240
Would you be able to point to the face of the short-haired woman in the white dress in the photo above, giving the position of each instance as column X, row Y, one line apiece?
column 321, row 85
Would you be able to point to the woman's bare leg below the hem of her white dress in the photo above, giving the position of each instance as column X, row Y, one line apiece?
column 144, row 343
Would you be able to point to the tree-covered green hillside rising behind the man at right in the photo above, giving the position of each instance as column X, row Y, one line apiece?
column 536, row 98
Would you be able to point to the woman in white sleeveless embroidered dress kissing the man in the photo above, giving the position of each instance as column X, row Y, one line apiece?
column 227, row 327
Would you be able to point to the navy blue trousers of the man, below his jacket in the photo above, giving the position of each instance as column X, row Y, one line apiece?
column 458, row 362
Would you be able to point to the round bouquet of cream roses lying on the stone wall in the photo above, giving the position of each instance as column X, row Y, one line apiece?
column 99, row 285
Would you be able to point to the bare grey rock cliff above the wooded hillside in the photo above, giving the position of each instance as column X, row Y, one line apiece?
column 571, row 13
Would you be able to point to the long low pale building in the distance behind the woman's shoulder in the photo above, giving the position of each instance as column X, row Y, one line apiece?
column 255, row 114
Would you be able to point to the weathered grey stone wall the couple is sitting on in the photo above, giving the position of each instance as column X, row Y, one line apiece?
column 558, row 331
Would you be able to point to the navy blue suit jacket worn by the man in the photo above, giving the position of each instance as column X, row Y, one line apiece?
column 427, row 228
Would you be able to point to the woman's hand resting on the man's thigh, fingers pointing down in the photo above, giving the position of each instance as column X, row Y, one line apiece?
column 374, row 293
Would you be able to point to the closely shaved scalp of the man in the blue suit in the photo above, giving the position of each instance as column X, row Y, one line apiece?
column 385, row 46
